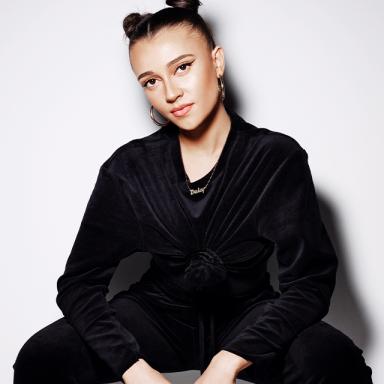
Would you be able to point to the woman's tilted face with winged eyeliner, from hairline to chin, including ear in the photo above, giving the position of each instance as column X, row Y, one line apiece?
column 175, row 67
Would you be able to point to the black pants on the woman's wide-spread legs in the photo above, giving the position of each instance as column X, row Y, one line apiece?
column 167, row 335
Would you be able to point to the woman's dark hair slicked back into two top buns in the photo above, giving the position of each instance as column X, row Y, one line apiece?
column 137, row 26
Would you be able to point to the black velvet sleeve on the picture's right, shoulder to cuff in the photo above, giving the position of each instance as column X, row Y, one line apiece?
column 289, row 217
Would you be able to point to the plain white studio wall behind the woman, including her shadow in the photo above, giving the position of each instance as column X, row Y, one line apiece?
column 311, row 69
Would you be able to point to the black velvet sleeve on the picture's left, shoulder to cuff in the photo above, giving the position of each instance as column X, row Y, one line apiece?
column 108, row 232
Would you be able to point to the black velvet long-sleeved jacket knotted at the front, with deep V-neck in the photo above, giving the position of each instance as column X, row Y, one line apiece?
column 261, row 200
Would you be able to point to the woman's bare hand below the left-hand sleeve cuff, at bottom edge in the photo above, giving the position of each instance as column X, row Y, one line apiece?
column 142, row 373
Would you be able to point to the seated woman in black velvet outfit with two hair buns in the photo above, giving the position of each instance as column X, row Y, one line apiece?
column 211, row 196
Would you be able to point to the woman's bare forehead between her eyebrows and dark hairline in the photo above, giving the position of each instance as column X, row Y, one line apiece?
column 165, row 45
